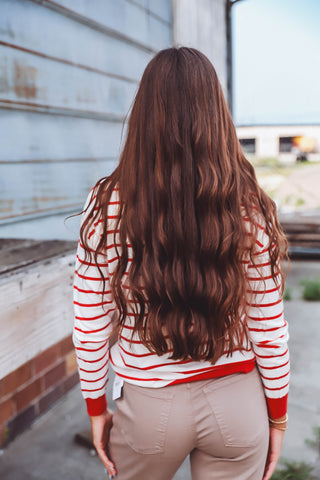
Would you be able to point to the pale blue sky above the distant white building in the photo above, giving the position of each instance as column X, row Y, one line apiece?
column 276, row 62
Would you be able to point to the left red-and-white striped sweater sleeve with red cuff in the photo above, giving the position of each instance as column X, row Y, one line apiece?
column 92, row 322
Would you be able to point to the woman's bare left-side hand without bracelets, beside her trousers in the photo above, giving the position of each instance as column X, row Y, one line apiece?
column 100, row 428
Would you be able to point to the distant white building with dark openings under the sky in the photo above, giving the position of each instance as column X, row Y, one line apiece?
column 289, row 143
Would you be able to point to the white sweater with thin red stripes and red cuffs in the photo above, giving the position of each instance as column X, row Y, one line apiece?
column 133, row 362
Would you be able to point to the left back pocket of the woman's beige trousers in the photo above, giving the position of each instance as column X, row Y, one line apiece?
column 142, row 415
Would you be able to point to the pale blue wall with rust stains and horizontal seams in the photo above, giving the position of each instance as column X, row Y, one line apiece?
column 69, row 70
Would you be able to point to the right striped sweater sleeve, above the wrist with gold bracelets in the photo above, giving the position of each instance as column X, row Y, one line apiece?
column 268, row 332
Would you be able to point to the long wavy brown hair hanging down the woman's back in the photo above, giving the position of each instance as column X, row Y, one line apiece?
column 184, row 185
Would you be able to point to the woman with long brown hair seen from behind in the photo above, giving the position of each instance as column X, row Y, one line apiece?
column 179, row 254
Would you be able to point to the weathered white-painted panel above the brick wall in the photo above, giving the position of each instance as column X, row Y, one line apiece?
column 37, row 309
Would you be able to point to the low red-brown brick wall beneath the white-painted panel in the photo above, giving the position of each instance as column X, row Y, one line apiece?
column 31, row 389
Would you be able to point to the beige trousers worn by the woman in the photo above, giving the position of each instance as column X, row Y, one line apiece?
column 222, row 423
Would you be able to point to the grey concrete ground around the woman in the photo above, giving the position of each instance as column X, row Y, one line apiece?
column 47, row 451
